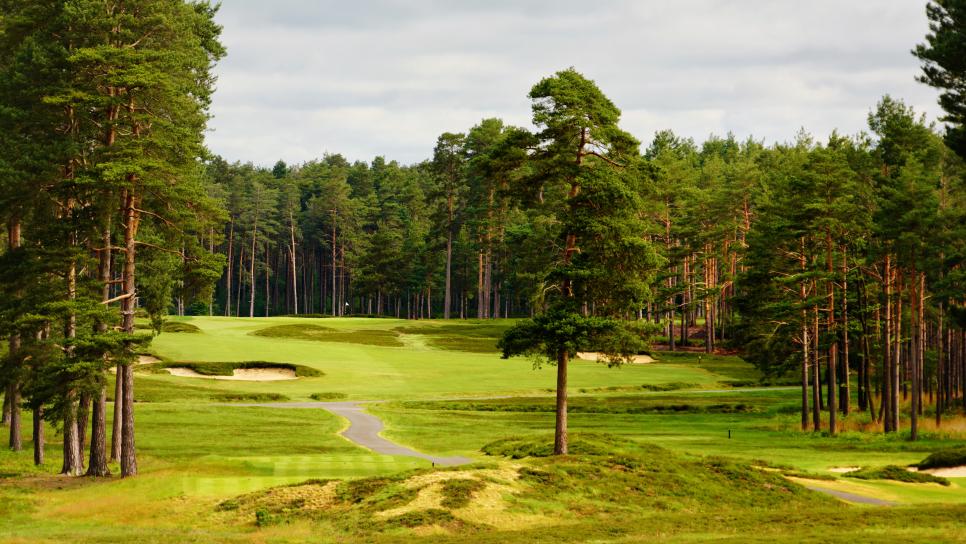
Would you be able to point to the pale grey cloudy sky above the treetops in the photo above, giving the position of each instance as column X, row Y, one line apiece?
column 386, row 77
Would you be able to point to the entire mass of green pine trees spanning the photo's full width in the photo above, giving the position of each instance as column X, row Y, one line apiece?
column 837, row 262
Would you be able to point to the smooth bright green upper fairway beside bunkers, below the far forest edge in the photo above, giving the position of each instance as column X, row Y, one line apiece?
column 364, row 371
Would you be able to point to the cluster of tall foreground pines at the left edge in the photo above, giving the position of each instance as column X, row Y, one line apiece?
column 104, row 199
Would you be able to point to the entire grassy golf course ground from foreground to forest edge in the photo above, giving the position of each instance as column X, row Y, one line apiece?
column 685, row 446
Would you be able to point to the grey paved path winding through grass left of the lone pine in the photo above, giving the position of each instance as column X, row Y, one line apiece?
column 364, row 430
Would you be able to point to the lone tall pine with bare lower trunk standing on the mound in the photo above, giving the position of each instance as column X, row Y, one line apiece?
column 584, row 168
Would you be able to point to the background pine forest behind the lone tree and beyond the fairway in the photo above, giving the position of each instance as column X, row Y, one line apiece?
column 841, row 259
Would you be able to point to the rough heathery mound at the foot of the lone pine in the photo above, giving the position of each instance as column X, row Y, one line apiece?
column 612, row 477
